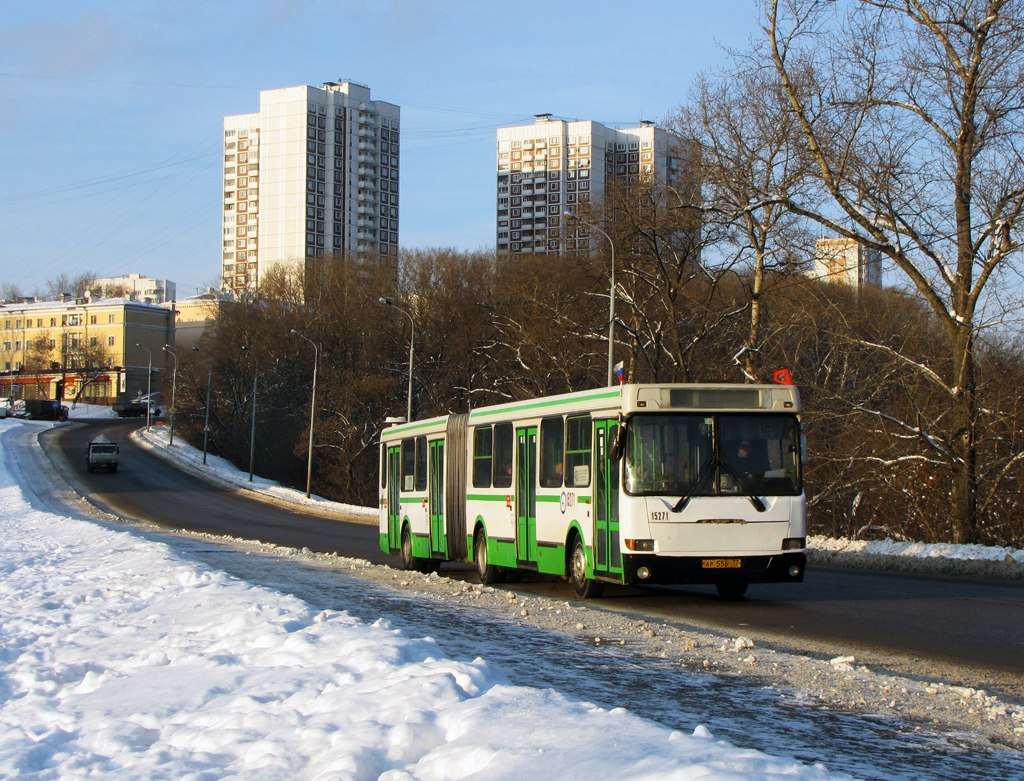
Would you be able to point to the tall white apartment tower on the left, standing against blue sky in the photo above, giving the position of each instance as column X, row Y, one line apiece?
column 314, row 173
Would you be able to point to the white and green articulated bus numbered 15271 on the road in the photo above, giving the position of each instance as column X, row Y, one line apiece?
column 697, row 484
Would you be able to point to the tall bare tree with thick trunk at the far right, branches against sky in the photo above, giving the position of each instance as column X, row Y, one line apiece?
column 912, row 112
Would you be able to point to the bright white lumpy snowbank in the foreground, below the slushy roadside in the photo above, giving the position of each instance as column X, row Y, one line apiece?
column 124, row 660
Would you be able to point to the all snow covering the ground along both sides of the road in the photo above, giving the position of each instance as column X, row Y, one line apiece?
column 125, row 657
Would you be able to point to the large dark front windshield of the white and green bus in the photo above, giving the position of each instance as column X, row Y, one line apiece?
column 701, row 455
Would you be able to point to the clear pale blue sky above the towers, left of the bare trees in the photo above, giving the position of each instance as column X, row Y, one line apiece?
column 110, row 140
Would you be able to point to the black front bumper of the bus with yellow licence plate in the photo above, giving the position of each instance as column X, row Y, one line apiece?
column 776, row 569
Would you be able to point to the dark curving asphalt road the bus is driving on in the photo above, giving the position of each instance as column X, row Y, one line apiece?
column 966, row 632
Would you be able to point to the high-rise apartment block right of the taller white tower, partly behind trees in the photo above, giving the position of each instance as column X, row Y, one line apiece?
column 554, row 165
